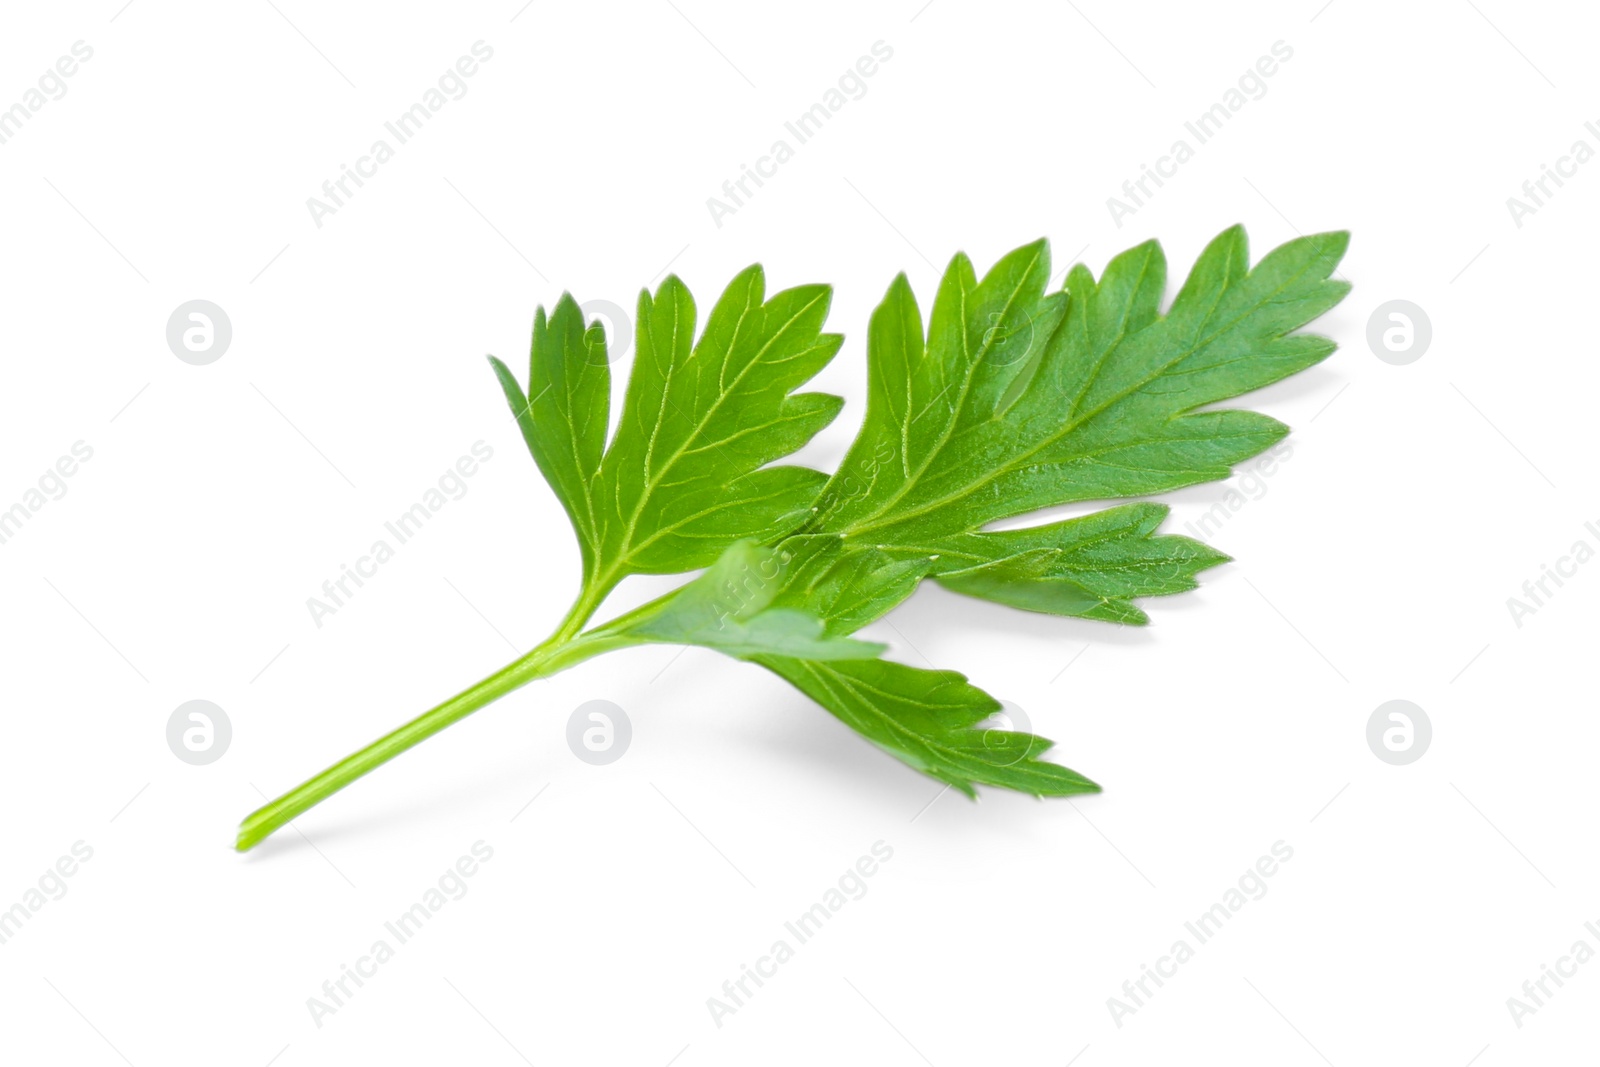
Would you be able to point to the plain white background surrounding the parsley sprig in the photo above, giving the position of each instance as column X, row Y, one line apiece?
column 1375, row 565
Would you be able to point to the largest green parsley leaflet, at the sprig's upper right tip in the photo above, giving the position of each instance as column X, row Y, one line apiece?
column 1020, row 401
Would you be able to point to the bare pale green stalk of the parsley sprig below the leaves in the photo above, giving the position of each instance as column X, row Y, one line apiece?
column 561, row 652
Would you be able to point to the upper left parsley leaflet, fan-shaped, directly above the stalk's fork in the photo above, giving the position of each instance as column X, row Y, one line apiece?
column 687, row 474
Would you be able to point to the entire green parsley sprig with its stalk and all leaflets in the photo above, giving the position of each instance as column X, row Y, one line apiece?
column 1009, row 401
